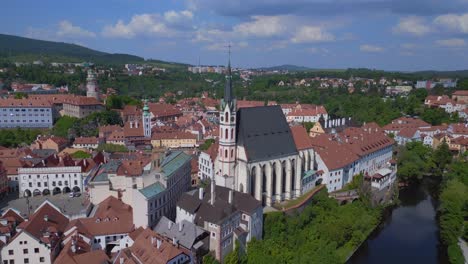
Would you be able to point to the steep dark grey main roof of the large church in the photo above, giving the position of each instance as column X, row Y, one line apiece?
column 264, row 133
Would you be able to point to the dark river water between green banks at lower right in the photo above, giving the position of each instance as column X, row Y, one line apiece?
column 409, row 232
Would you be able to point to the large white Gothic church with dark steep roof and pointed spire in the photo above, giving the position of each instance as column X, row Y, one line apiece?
column 257, row 153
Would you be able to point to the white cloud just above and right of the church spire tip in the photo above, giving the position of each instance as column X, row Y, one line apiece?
column 262, row 26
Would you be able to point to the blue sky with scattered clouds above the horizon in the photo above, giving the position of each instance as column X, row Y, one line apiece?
column 403, row 35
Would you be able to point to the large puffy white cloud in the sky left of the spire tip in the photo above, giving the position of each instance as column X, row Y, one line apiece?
column 149, row 24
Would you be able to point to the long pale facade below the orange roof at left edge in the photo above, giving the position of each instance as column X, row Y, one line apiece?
column 26, row 116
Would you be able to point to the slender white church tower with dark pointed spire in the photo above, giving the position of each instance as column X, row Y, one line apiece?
column 227, row 134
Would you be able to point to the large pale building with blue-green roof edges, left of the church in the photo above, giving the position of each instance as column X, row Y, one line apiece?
column 151, row 186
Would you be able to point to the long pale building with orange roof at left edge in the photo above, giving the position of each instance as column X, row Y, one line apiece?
column 25, row 113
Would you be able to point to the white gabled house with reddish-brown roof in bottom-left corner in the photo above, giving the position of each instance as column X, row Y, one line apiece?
column 38, row 240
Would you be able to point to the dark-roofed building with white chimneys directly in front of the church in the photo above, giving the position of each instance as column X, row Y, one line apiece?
column 225, row 214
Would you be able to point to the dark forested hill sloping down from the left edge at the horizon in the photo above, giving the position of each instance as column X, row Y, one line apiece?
column 26, row 49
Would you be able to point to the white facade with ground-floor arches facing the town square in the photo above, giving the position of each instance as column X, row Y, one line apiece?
column 34, row 181
